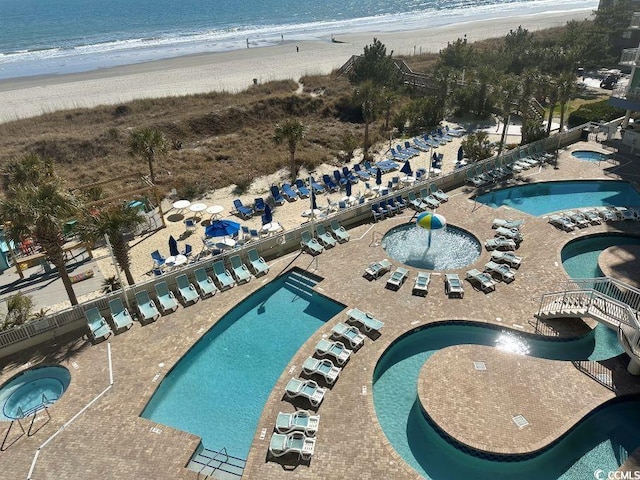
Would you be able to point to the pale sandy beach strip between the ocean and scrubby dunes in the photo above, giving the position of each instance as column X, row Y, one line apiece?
column 236, row 70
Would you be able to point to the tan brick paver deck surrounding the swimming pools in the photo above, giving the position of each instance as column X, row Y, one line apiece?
column 110, row 440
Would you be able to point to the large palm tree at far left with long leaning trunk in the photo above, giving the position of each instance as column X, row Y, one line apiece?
column 40, row 211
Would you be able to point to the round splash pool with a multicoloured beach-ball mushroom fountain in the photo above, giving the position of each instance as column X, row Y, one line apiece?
column 451, row 247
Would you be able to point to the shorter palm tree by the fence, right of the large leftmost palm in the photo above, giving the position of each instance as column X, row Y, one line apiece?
column 114, row 222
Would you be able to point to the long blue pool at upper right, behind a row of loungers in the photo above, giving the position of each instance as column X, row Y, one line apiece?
column 545, row 197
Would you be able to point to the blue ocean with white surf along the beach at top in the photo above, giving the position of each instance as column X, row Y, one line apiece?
column 40, row 37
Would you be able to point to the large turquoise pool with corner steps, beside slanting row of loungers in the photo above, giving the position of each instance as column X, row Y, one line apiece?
column 218, row 389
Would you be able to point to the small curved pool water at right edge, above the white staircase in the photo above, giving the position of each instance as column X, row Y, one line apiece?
column 580, row 257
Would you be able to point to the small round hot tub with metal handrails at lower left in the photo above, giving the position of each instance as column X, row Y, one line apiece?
column 28, row 391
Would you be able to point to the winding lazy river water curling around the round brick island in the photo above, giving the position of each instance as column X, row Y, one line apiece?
column 602, row 441
